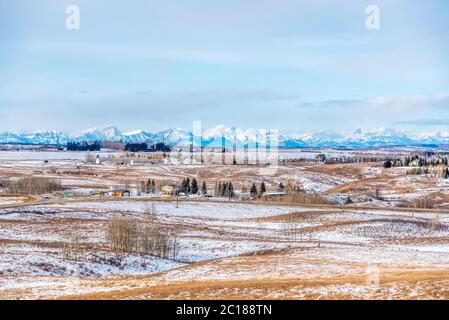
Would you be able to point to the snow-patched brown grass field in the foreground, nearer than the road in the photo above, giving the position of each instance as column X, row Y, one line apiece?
column 218, row 242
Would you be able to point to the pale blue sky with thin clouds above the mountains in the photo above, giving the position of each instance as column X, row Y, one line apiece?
column 295, row 66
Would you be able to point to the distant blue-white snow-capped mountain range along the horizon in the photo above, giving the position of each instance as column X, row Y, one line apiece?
column 213, row 137
